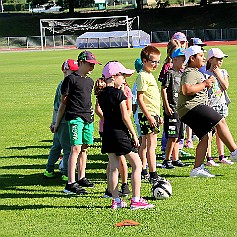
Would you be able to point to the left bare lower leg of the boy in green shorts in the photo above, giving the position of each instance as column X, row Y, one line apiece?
column 72, row 160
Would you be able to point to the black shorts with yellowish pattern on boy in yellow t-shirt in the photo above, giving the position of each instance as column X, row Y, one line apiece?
column 145, row 126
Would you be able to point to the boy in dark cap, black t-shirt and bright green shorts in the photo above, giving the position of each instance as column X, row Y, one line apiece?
column 76, row 92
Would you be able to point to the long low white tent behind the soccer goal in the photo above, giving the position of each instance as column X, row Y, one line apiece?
column 113, row 39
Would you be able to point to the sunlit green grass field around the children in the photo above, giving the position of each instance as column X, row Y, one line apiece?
column 33, row 206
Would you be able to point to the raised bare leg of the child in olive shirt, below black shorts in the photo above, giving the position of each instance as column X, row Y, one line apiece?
column 225, row 135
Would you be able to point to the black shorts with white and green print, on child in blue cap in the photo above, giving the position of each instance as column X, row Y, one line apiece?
column 173, row 127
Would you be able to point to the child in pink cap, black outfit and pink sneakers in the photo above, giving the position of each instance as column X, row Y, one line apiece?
column 116, row 139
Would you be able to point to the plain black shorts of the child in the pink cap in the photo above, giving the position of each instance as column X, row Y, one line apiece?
column 117, row 141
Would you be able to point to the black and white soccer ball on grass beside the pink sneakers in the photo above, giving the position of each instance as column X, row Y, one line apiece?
column 162, row 189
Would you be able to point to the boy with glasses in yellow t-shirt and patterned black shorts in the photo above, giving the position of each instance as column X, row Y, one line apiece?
column 148, row 97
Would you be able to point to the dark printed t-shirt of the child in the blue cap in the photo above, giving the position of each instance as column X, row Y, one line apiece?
column 171, row 81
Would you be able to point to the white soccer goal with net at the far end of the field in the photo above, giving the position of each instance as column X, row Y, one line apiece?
column 55, row 28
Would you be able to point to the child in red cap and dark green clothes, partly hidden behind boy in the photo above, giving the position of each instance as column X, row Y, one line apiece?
column 61, row 138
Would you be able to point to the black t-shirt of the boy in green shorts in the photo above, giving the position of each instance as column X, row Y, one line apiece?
column 78, row 89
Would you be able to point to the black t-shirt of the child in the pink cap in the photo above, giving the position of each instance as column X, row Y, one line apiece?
column 109, row 101
